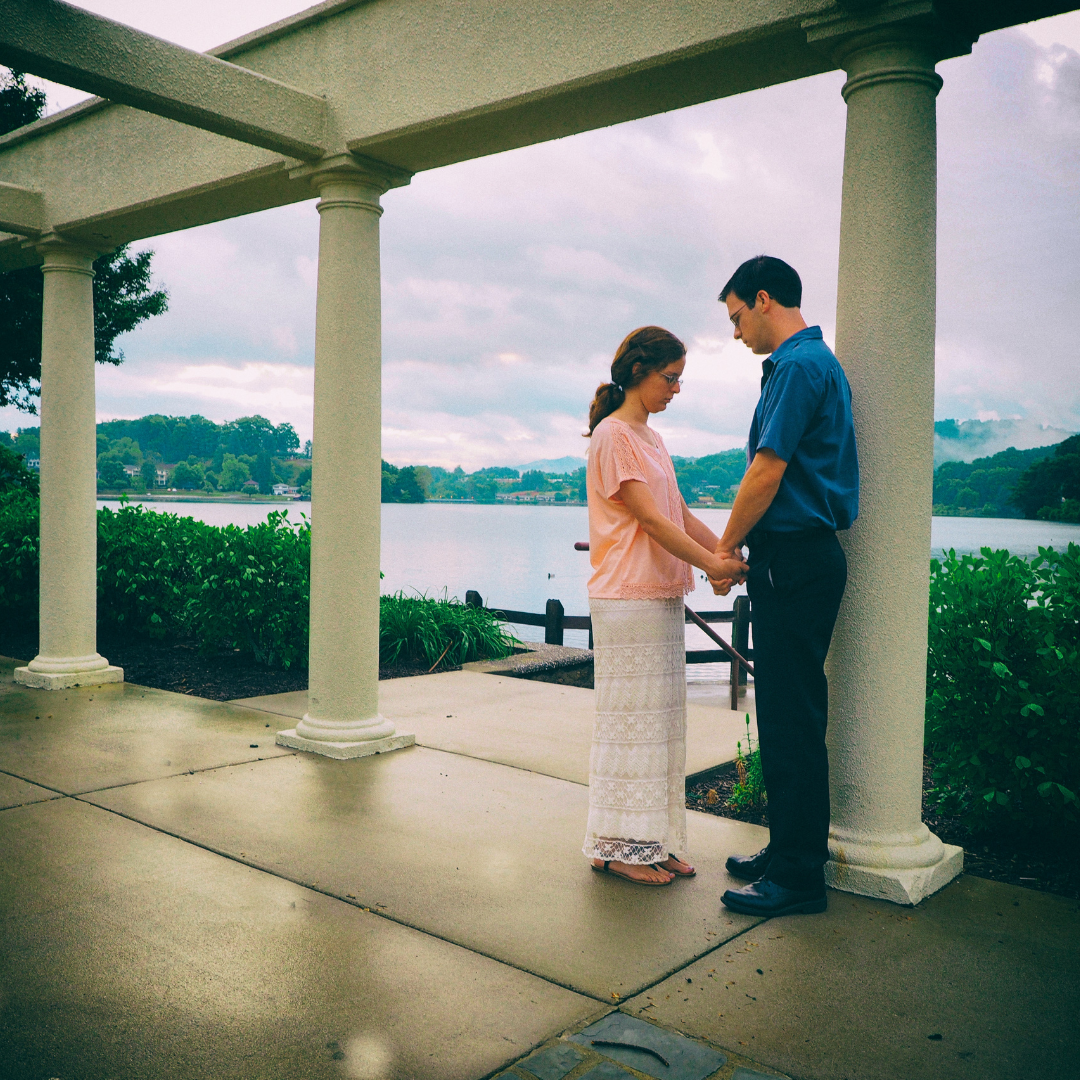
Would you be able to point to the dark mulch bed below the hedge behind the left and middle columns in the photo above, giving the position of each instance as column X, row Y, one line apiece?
column 179, row 667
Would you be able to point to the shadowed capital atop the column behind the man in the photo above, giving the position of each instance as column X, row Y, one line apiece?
column 853, row 28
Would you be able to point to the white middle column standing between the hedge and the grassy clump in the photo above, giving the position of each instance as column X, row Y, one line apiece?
column 343, row 719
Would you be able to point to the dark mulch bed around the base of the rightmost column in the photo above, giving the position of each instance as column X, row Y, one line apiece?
column 1049, row 866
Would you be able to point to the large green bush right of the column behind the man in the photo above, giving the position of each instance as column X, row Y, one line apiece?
column 1004, row 688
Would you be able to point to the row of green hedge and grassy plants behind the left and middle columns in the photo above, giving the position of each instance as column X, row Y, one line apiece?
column 163, row 575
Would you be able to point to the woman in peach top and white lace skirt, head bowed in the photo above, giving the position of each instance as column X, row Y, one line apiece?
column 643, row 541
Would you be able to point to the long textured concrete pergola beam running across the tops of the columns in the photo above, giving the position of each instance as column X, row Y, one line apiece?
column 422, row 86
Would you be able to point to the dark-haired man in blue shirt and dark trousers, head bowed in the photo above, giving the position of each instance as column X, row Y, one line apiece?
column 801, row 488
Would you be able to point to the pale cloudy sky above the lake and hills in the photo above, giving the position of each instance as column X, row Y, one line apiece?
column 509, row 281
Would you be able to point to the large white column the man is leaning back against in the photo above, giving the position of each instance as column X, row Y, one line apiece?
column 885, row 339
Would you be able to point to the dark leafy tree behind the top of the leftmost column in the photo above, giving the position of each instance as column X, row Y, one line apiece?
column 123, row 294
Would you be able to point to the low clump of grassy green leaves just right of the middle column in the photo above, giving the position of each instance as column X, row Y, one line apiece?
column 428, row 631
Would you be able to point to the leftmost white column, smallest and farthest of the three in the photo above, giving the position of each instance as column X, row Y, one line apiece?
column 69, row 574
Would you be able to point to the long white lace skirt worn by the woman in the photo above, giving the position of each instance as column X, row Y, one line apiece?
column 638, row 767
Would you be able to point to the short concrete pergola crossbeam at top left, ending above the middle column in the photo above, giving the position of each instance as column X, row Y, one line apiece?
column 78, row 49
